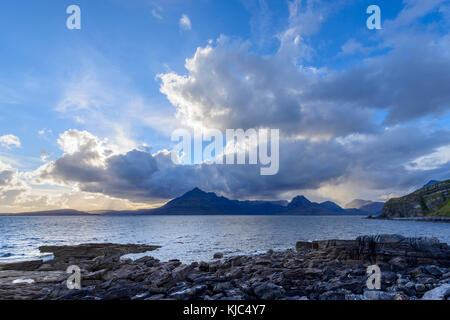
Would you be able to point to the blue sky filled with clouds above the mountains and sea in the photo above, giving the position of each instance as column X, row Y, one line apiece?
column 86, row 116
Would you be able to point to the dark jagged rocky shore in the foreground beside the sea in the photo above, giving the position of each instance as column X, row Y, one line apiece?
column 411, row 269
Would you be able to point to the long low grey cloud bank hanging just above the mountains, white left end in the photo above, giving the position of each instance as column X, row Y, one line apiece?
column 143, row 177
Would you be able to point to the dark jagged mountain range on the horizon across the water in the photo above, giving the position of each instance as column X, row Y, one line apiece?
column 199, row 202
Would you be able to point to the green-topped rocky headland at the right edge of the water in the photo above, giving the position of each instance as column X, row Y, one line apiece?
column 431, row 200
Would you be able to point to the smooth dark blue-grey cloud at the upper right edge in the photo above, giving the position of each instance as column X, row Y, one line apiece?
column 410, row 82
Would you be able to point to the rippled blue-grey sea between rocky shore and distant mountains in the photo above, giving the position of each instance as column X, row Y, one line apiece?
column 196, row 238
